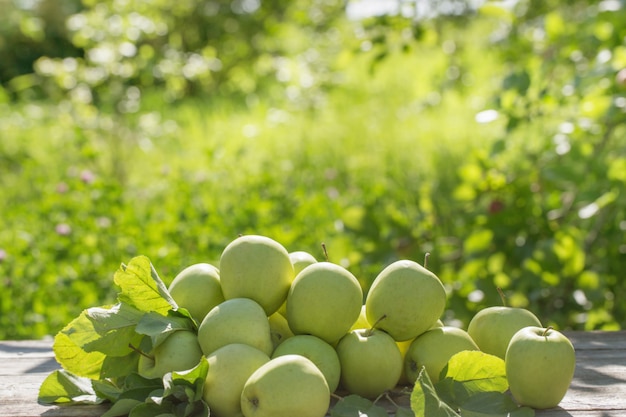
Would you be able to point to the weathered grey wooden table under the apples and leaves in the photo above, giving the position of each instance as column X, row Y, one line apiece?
column 598, row 389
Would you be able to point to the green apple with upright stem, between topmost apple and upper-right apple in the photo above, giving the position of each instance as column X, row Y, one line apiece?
column 324, row 300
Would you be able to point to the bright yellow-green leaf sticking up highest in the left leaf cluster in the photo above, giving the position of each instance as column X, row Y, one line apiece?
column 142, row 288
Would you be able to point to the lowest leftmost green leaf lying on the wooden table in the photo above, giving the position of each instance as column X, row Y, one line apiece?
column 64, row 387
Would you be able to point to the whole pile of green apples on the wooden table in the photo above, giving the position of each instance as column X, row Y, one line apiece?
column 283, row 333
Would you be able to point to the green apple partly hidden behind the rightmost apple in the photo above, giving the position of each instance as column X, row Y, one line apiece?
column 492, row 327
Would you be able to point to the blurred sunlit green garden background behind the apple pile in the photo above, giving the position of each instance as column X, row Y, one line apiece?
column 492, row 139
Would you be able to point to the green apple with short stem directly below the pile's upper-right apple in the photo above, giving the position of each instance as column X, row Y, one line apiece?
column 371, row 362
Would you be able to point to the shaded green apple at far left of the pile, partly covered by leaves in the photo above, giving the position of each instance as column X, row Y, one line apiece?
column 178, row 352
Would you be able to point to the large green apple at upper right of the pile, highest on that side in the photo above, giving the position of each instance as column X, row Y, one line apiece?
column 405, row 299
